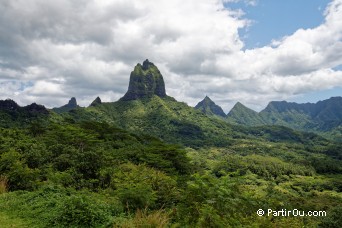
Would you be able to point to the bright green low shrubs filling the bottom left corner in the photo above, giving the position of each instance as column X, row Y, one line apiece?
column 54, row 206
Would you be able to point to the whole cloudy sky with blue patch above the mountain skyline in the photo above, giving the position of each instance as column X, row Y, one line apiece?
column 251, row 51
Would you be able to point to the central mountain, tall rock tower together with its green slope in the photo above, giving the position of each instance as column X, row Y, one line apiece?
column 146, row 108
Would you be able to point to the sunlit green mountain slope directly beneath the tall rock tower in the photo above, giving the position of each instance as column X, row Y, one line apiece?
column 164, row 118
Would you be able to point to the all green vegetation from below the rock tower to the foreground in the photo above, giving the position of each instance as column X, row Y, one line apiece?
column 172, row 166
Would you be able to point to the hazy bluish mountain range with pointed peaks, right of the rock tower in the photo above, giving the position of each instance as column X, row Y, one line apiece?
column 321, row 117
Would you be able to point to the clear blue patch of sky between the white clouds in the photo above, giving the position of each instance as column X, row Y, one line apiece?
column 274, row 19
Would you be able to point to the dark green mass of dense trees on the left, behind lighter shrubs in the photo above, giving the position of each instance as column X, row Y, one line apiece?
column 80, row 155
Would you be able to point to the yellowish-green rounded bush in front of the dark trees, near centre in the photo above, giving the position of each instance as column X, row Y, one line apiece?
column 138, row 186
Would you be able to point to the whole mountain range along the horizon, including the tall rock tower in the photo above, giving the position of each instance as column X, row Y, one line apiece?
column 146, row 108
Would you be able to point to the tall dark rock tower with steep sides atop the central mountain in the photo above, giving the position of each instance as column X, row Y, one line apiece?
column 145, row 81
